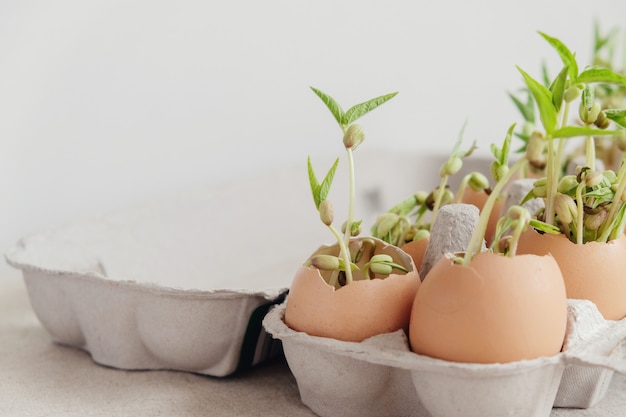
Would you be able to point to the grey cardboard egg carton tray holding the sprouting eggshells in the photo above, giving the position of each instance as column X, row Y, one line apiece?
column 382, row 377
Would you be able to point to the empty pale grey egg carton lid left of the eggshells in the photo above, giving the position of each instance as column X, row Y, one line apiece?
column 182, row 282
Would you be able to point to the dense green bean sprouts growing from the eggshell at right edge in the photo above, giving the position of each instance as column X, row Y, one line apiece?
column 597, row 196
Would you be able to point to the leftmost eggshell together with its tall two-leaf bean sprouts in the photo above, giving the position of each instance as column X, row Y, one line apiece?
column 360, row 286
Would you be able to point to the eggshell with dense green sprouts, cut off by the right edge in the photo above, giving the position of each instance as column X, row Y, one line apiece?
column 589, row 206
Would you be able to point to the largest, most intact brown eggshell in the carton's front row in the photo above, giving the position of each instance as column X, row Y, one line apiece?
column 496, row 310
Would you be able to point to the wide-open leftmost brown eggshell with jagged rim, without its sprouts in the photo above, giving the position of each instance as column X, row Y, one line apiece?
column 357, row 311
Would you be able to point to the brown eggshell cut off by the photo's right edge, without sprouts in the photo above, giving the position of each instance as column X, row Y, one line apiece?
column 592, row 271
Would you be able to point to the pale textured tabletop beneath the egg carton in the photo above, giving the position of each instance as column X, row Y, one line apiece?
column 41, row 378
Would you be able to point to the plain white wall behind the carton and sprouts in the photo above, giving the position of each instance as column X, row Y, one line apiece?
column 105, row 103
